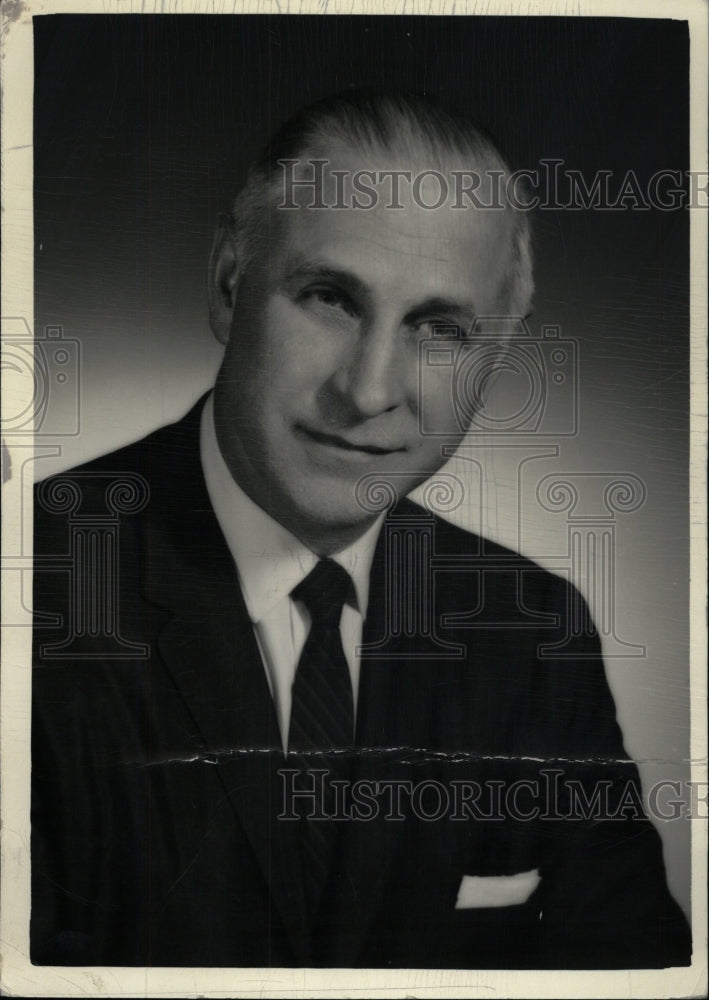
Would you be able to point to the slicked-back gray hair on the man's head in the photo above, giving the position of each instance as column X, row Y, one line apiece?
column 398, row 123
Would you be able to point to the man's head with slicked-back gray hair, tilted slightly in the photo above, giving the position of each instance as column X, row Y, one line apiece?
column 323, row 303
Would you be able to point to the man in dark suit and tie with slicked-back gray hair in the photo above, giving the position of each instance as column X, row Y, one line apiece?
column 241, row 757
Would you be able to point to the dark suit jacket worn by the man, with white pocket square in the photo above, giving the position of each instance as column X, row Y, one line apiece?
column 156, row 752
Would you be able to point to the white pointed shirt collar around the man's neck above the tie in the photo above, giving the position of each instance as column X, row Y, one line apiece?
column 270, row 560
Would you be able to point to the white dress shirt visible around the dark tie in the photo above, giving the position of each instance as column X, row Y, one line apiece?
column 270, row 562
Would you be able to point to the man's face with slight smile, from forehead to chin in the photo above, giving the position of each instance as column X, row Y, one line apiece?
column 320, row 385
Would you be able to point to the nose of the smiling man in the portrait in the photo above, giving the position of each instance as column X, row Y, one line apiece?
column 371, row 378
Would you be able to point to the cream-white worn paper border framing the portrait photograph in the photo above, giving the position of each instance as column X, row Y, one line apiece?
column 19, row 976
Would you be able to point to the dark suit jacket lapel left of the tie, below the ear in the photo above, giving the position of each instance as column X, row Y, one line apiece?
column 210, row 651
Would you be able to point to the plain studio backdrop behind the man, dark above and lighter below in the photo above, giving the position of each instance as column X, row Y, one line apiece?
column 143, row 128
